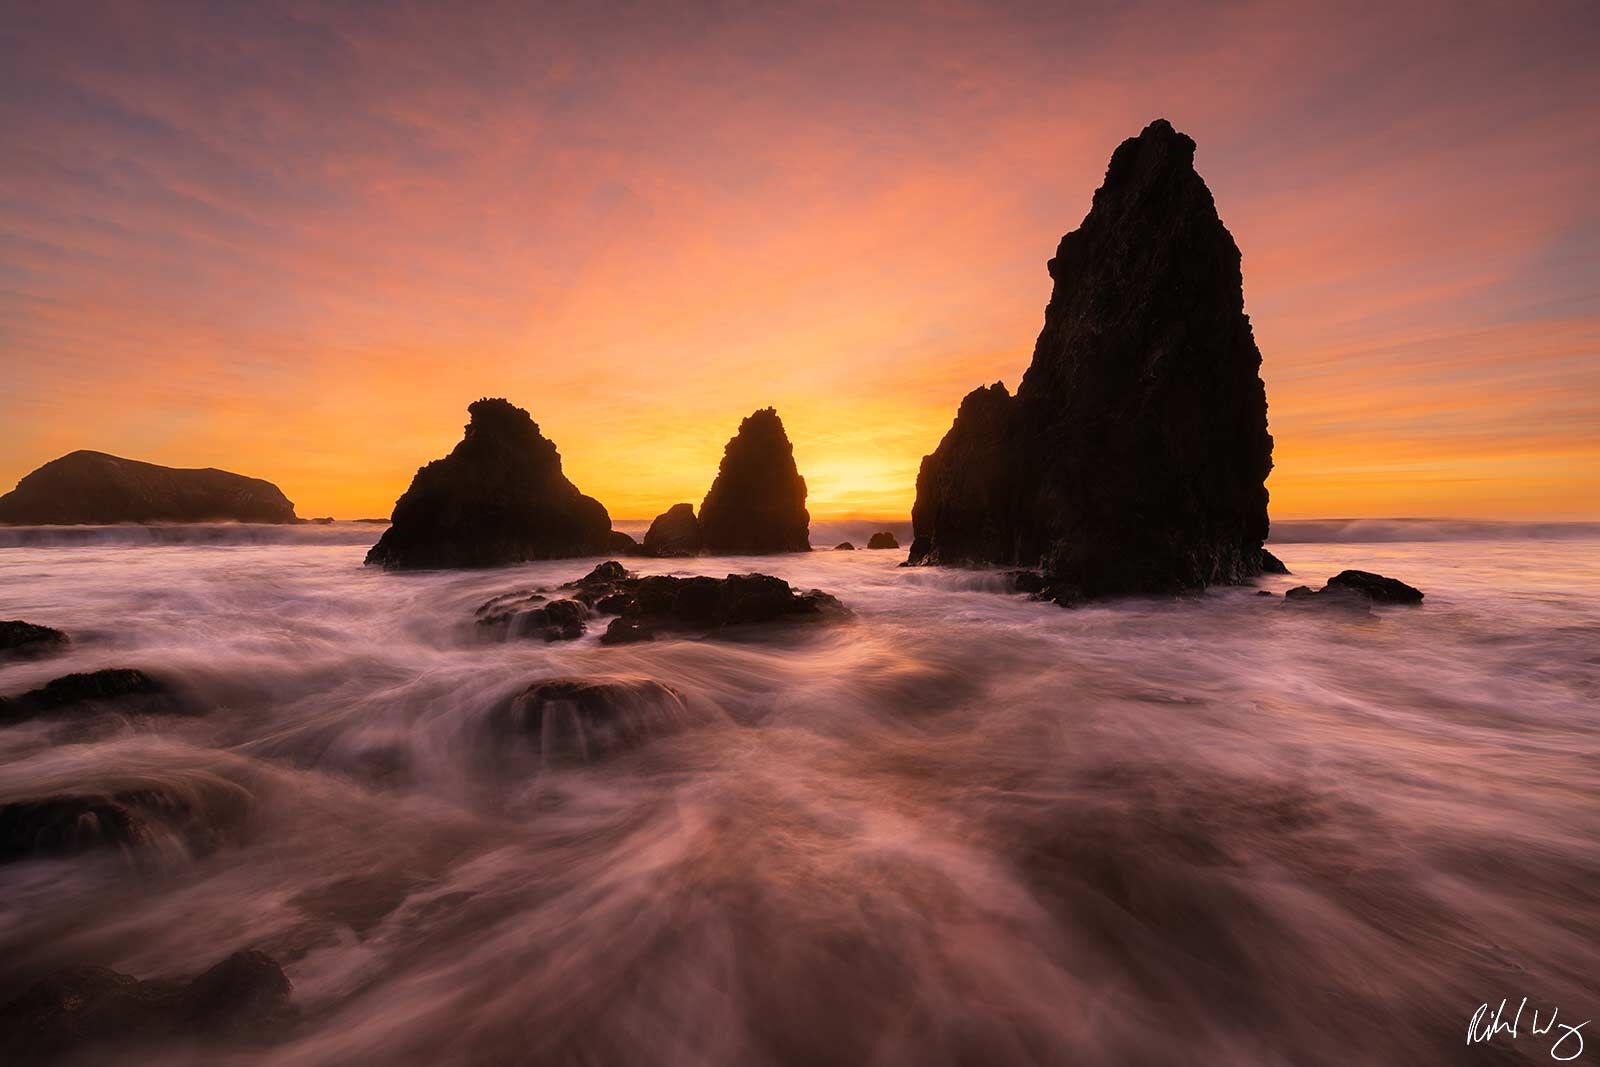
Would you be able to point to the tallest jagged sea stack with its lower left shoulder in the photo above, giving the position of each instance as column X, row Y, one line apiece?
column 1135, row 454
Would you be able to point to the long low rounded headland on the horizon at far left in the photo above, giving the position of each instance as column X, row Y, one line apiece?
column 89, row 487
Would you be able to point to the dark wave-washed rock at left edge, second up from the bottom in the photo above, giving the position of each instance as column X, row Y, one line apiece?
column 66, row 825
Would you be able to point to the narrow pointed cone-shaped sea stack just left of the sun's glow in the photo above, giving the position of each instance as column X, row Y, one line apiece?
column 758, row 502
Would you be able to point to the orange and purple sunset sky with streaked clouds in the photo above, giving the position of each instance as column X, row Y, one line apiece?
column 295, row 241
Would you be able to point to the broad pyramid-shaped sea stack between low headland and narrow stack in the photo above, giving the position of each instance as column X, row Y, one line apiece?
column 500, row 497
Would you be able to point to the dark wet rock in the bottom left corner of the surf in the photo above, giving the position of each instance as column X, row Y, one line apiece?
column 244, row 997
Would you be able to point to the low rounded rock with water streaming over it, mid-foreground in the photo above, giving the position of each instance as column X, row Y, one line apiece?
column 583, row 721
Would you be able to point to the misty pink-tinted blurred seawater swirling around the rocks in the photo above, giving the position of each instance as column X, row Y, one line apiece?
column 958, row 829
